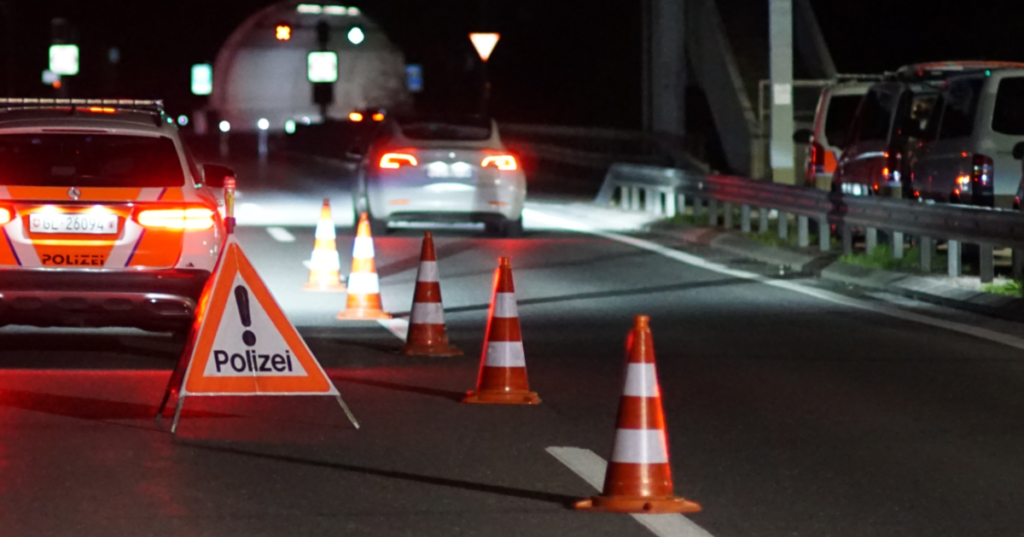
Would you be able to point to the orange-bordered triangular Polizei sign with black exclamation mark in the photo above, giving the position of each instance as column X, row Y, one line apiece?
column 244, row 345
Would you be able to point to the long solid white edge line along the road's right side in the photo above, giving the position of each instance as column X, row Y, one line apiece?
column 701, row 263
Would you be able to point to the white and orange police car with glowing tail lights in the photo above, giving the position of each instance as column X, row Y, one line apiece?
column 106, row 219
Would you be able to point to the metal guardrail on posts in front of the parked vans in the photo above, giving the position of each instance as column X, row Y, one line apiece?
column 666, row 192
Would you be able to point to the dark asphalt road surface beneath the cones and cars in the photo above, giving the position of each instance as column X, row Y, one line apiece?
column 789, row 416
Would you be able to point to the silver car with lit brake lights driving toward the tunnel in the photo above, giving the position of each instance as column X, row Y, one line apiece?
column 444, row 170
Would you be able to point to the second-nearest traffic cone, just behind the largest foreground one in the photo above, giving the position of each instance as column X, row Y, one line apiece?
column 503, row 366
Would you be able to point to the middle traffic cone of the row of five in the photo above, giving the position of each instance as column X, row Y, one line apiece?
column 428, row 335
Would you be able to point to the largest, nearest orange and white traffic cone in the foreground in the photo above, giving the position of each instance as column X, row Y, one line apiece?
column 639, row 478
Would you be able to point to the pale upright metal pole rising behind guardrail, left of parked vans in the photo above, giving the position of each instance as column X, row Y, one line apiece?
column 781, row 44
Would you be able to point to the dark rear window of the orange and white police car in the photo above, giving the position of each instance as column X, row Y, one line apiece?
column 89, row 160
